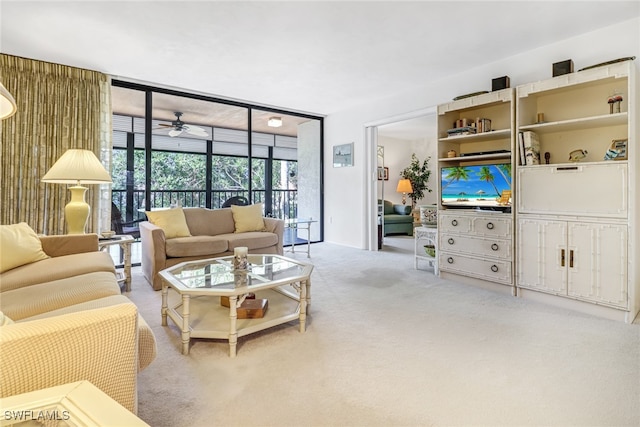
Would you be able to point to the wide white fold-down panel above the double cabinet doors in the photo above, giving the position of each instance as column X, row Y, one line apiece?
column 580, row 189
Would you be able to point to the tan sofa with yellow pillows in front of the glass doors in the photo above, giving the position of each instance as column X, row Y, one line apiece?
column 212, row 235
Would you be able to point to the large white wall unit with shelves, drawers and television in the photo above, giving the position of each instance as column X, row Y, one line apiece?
column 569, row 233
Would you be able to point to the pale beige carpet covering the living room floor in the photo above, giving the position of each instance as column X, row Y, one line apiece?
column 387, row 345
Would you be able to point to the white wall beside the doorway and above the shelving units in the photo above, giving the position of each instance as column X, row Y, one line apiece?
column 621, row 40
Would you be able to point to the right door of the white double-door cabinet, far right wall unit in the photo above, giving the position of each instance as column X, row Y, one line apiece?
column 597, row 263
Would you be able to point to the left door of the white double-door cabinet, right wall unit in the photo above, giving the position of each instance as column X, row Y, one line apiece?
column 542, row 255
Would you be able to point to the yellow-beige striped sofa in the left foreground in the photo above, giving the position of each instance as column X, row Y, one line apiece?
column 67, row 321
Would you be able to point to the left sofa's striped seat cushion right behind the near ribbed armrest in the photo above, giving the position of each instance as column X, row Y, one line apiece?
column 41, row 298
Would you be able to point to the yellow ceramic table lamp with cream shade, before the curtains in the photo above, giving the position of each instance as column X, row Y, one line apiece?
column 77, row 167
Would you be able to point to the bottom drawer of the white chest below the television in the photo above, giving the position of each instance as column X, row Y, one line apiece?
column 493, row 270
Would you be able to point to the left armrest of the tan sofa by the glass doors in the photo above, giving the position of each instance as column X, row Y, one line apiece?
column 153, row 253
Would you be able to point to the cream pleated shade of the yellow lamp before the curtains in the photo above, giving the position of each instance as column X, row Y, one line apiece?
column 77, row 167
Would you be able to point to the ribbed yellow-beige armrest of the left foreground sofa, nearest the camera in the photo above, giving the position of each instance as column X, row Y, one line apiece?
column 96, row 345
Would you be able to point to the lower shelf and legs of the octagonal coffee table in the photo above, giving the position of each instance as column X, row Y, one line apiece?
column 203, row 316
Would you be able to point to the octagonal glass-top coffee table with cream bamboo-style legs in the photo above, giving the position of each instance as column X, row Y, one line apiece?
column 199, row 287
